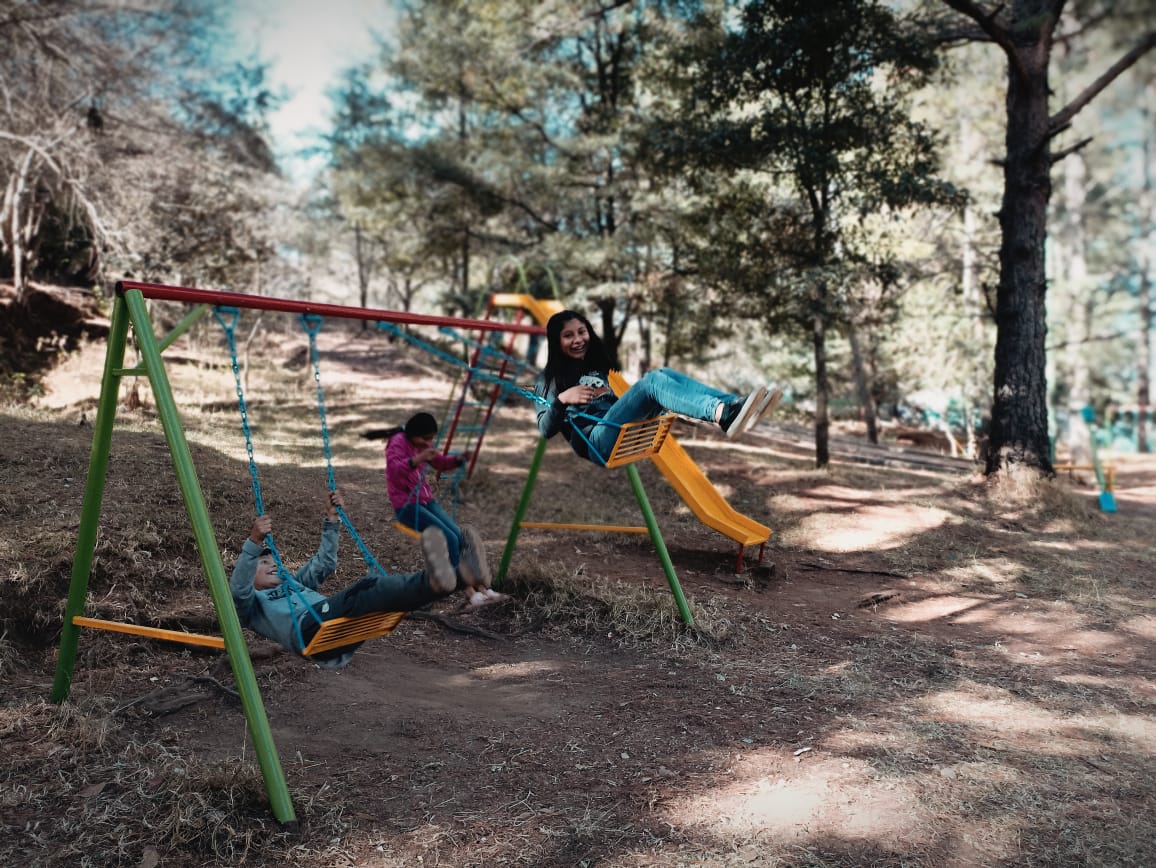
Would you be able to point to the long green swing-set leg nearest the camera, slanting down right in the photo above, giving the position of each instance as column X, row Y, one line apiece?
column 211, row 559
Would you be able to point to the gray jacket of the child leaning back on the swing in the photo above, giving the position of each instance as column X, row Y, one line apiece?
column 273, row 613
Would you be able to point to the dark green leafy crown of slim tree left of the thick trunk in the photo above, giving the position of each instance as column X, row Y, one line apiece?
column 799, row 124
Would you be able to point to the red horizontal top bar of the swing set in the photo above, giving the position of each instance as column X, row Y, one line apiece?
column 288, row 306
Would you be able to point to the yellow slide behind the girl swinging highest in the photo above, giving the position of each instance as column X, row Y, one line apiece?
column 672, row 461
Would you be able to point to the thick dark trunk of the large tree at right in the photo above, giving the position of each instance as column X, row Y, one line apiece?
column 1020, row 404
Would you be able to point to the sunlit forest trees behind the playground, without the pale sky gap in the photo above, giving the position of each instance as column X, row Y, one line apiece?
column 854, row 203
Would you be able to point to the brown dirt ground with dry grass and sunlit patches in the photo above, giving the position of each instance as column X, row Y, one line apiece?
column 924, row 672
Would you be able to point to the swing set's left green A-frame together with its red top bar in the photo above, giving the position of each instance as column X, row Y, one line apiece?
column 130, row 309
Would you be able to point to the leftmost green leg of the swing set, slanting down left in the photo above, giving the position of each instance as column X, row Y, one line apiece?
column 94, row 494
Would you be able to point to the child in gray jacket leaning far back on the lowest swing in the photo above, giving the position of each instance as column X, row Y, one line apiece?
column 277, row 612
